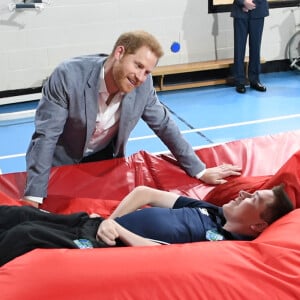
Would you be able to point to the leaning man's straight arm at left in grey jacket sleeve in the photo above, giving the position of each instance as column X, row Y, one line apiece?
column 50, row 119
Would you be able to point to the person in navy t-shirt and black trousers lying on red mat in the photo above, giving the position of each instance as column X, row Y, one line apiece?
column 145, row 217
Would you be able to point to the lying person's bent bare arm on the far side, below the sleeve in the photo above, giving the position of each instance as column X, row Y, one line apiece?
column 142, row 196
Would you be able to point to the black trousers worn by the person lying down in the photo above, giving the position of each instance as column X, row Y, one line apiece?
column 24, row 228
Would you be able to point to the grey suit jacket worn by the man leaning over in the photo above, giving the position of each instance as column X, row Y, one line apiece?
column 66, row 118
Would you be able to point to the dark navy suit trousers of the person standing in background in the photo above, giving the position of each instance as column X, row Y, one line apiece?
column 244, row 28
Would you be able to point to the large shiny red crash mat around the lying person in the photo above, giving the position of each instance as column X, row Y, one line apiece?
column 266, row 268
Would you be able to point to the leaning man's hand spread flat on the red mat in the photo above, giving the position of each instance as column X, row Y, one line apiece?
column 217, row 174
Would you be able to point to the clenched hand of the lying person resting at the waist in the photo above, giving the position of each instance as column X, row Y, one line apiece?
column 108, row 232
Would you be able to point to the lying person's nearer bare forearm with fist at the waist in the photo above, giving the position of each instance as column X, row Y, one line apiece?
column 109, row 230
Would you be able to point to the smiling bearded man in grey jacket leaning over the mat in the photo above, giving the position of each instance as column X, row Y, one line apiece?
column 90, row 105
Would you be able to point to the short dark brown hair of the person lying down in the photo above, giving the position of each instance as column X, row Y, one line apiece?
column 281, row 205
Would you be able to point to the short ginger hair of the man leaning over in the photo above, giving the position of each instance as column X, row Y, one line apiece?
column 134, row 40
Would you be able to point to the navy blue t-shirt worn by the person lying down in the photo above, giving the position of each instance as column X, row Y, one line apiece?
column 188, row 221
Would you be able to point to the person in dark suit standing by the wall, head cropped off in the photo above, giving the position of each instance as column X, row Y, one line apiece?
column 248, row 20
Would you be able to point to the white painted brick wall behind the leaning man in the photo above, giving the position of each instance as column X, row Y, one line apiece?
column 32, row 43
